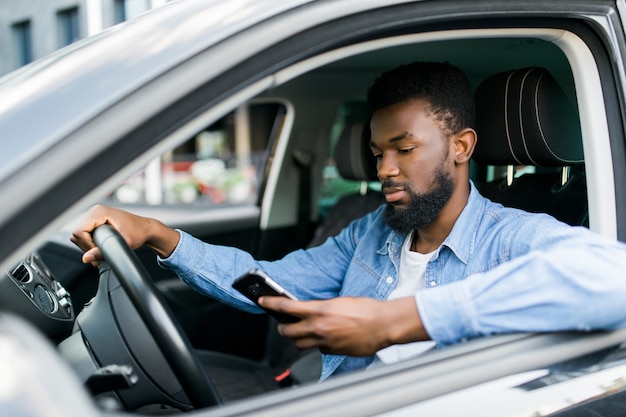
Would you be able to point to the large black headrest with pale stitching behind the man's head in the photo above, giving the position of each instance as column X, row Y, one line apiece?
column 523, row 117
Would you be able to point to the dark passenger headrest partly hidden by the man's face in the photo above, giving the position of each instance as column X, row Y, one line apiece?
column 353, row 155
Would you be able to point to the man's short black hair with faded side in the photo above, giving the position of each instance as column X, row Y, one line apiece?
column 443, row 85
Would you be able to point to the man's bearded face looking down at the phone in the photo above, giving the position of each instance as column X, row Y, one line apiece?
column 413, row 164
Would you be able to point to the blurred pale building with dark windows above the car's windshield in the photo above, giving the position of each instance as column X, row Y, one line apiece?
column 31, row 29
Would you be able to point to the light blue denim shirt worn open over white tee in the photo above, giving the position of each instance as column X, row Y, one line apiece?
column 500, row 270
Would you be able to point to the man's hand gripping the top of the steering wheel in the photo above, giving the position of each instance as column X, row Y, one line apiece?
column 135, row 230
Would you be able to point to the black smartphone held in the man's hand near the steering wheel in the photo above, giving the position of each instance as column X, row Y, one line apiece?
column 255, row 283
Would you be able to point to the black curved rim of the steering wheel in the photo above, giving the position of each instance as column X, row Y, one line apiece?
column 158, row 318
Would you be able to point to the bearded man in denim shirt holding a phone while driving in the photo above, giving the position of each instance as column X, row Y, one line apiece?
column 438, row 261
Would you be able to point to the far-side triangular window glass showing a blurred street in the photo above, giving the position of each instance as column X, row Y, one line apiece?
column 223, row 164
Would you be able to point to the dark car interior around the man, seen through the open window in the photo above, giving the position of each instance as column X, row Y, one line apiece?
column 289, row 168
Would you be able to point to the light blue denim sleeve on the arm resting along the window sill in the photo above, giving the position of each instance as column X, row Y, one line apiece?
column 538, row 292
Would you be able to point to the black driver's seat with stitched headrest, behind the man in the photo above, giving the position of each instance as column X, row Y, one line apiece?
column 524, row 118
